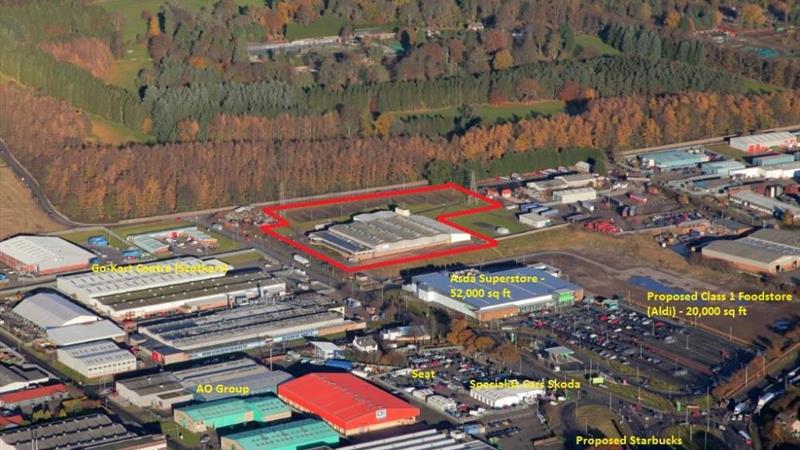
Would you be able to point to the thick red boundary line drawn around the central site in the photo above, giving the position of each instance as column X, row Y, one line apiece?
column 488, row 242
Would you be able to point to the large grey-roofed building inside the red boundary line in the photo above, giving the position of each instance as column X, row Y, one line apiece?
column 384, row 233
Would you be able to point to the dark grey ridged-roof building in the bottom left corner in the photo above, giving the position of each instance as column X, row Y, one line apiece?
column 72, row 433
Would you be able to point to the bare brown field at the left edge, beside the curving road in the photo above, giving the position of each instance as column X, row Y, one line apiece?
column 18, row 211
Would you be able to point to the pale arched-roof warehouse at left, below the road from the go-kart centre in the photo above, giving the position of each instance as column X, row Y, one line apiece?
column 50, row 310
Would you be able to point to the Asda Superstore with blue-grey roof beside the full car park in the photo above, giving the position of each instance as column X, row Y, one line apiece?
column 495, row 295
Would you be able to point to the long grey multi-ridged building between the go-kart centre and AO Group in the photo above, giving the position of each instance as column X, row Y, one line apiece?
column 250, row 326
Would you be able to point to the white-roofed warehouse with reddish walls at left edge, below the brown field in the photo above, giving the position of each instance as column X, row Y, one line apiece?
column 43, row 255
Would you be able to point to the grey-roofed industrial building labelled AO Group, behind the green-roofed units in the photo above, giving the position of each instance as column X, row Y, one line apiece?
column 166, row 389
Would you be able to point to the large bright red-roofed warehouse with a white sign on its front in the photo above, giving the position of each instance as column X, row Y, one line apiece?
column 347, row 403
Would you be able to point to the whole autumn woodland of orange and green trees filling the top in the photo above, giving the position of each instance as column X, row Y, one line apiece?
column 394, row 97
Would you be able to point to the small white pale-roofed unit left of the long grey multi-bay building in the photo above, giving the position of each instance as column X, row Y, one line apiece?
column 97, row 359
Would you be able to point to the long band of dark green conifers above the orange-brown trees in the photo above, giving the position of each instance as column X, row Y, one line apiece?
column 202, row 102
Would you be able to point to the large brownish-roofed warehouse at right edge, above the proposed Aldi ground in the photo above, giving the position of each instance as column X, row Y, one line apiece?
column 765, row 251
